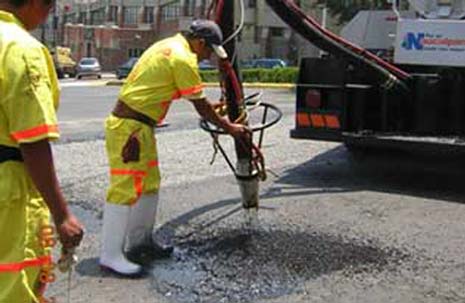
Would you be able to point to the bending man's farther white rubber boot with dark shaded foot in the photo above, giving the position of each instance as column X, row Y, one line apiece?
column 140, row 229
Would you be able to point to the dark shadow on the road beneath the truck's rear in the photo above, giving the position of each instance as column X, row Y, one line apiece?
column 338, row 171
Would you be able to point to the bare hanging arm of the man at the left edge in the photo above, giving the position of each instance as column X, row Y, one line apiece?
column 38, row 160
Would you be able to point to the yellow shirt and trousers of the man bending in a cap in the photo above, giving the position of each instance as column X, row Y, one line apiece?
column 168, row 70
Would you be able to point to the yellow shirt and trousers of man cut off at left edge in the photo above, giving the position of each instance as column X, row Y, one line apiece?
column 29, row 97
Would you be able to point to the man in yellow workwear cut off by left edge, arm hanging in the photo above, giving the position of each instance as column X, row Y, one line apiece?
column 29, row 189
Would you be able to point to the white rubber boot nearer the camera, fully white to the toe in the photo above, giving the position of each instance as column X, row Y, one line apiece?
column 115, row 223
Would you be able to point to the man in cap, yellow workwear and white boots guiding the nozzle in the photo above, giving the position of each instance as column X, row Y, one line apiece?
column 168, row 70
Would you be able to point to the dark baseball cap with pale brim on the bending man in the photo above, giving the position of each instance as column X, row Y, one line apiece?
column 211, row 32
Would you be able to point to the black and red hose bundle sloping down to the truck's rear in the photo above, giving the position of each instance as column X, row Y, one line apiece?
column 387, row 74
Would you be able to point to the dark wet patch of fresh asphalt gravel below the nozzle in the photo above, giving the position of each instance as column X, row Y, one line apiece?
column 238, row 265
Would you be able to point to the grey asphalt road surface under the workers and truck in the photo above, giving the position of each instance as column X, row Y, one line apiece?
column 331, row 227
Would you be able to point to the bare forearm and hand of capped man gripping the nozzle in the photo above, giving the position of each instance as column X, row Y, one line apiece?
column 205, row 109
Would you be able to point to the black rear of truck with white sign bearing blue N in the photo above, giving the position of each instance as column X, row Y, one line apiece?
column 406, row 90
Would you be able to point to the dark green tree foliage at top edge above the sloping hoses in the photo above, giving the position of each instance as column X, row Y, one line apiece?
column 345, row 10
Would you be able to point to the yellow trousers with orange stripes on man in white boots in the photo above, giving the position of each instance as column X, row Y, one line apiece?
column 128, row 181
